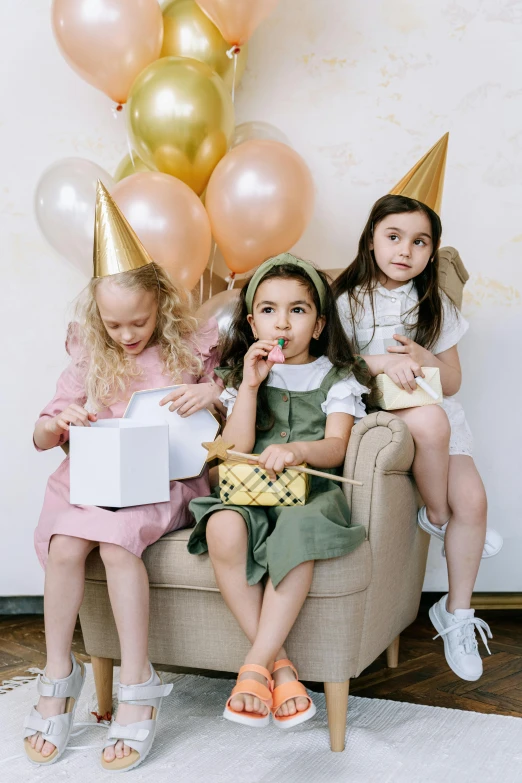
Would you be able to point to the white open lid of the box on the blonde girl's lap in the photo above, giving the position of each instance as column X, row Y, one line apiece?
column 186, row 454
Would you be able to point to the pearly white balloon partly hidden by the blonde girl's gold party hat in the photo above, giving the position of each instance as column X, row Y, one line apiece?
column 64, row 204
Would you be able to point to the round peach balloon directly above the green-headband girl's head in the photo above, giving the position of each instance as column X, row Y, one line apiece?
column 260, row 199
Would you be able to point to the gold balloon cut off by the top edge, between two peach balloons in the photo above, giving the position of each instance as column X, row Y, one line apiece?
column 188, row 32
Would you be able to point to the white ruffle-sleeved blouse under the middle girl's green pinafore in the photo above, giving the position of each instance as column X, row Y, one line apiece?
column 345, row 396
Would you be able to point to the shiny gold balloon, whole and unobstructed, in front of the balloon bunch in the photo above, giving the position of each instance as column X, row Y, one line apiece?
column 180, row 119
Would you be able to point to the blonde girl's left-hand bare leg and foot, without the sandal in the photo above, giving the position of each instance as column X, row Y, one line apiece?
column 63, row 595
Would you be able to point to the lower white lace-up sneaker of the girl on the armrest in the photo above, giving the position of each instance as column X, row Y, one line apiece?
column 458, row 634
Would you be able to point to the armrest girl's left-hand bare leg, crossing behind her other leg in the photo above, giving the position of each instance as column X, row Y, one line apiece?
column 430, row 429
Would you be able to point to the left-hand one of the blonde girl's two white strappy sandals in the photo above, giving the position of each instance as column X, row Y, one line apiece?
column 56, row 729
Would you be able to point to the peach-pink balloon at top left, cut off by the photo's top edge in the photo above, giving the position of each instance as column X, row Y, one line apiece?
column 108, row 42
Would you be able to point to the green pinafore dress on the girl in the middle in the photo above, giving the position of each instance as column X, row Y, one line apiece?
column 282, row 537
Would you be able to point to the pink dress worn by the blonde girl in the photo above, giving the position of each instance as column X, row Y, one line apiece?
column 136, row 527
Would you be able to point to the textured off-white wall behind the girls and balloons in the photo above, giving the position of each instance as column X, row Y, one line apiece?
column 362, row 90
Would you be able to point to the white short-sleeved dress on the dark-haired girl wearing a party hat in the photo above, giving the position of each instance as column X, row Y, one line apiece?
column 395, row 313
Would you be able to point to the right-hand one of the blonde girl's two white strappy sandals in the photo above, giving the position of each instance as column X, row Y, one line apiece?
column 140, row 735
